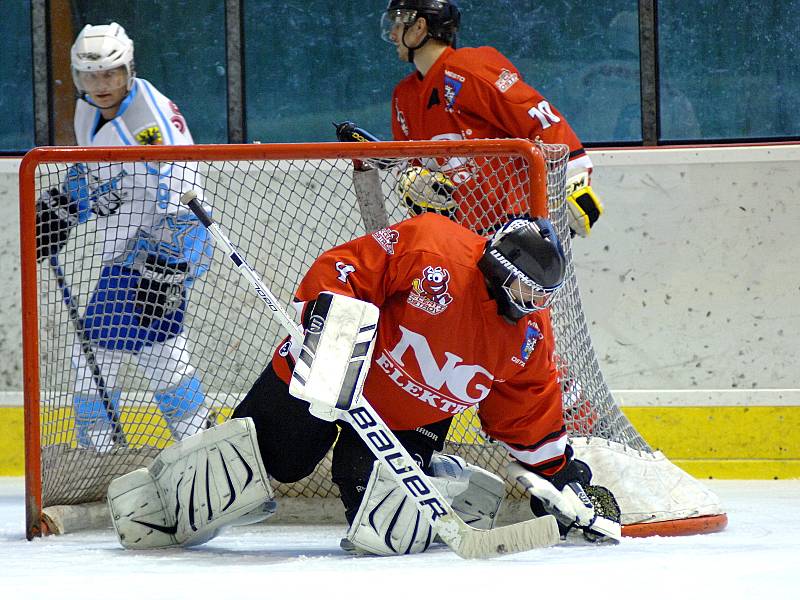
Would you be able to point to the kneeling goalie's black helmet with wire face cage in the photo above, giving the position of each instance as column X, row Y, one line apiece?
column 524, row 266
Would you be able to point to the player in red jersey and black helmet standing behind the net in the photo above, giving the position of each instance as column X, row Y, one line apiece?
column 473, row 93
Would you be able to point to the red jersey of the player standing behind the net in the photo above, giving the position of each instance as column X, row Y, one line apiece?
column 477, row 93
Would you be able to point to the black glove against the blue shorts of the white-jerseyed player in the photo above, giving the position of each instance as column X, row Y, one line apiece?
column 162, row 288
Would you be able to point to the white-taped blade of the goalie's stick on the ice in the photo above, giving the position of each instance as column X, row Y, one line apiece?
column 510, row 539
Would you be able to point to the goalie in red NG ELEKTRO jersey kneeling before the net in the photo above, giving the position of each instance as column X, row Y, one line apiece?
column 463, row 323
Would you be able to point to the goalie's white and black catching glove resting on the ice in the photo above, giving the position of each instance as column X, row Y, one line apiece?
column 570, row 498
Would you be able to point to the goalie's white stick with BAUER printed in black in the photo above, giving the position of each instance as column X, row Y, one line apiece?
column 465, row 541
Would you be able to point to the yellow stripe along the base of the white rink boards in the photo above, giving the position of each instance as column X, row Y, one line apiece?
column 720, row 442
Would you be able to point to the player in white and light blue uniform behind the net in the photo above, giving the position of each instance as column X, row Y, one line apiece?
column 153, row 249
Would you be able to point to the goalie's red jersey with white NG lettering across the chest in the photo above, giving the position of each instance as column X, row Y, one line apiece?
column 441, row 346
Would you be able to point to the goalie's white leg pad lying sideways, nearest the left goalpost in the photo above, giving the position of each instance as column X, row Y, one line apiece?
column 195, row 487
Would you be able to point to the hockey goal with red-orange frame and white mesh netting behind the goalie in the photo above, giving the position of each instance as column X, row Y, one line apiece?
column 282, row 205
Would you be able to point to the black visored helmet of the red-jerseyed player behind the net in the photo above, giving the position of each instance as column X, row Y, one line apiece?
column 442, row 16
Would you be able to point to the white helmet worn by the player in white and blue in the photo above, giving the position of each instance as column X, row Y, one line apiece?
column 101, row 48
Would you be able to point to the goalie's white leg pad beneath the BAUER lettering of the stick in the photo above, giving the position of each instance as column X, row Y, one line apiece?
column 387, row 522
